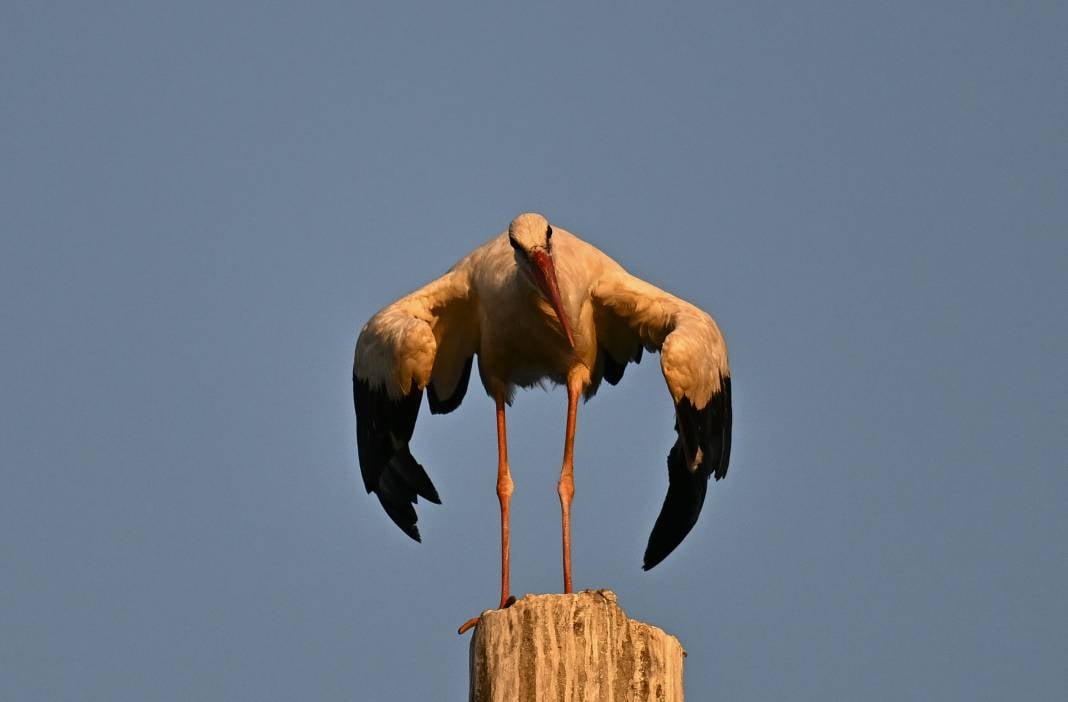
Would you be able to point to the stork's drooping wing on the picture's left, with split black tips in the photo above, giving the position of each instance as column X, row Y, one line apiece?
column 423, row 341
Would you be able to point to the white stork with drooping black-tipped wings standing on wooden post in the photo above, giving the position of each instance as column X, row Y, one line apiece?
column 538, row 303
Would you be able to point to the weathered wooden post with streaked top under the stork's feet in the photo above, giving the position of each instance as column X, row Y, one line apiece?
column 578, row 648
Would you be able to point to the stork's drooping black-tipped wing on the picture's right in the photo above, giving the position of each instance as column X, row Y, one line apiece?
column 632, row 315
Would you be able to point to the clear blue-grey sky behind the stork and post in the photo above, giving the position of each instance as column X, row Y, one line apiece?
column 201, row 206
